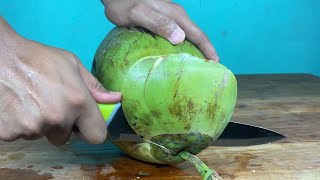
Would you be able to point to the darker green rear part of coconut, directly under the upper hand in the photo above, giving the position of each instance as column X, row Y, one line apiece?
column 124, row 46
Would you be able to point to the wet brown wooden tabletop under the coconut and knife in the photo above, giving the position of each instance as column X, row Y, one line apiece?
column 289, row 104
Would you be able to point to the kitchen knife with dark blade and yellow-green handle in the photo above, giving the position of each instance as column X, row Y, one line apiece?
column 235, row 134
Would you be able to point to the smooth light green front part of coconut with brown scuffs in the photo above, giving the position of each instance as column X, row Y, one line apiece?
column 178, row 101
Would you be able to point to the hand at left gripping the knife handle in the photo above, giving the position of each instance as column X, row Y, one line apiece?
column 46, row 91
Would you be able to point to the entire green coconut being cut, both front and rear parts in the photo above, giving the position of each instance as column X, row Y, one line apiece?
column 172, row 95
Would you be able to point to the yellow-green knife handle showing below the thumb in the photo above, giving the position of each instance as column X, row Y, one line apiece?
column 108, row 111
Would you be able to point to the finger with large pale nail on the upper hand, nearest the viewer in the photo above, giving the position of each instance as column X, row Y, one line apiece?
column 147, row 17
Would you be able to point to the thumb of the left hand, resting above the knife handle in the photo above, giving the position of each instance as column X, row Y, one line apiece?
column 99, row 93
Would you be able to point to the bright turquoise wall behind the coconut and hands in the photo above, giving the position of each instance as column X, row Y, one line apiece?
column 251, row 37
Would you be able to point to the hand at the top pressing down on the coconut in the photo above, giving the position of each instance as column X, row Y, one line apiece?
column 162, row 17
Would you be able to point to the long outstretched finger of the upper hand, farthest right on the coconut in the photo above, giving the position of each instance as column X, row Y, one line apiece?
column 192, row 31
